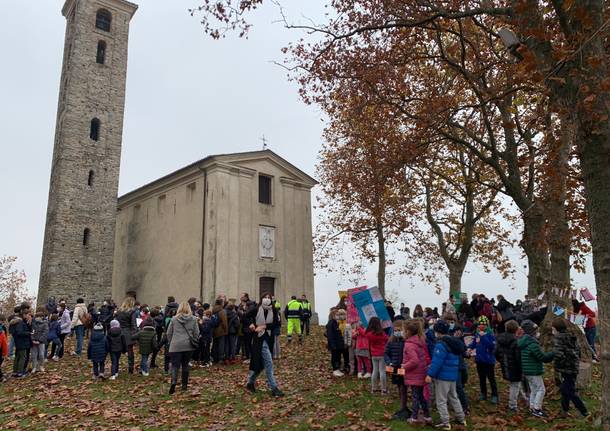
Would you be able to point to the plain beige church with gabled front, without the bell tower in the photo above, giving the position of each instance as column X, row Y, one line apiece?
column 226, row 224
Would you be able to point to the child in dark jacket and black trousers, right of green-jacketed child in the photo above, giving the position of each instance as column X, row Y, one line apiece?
column 567, row 357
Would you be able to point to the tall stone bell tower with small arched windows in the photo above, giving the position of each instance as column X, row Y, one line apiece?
column 81, row 213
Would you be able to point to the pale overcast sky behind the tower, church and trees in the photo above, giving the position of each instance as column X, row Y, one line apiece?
column 187, row 97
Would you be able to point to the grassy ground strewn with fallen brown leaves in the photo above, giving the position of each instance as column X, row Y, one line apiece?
column 66, row 397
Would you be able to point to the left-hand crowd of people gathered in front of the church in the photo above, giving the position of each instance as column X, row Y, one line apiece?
column 188, row 334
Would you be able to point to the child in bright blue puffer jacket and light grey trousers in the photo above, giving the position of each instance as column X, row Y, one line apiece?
column 443, row 373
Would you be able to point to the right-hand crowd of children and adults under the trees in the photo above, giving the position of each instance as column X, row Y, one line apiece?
column 426, row 354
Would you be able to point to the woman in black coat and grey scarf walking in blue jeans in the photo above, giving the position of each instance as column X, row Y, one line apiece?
column 265, row 318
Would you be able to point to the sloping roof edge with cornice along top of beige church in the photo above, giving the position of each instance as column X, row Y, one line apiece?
column 230, row 158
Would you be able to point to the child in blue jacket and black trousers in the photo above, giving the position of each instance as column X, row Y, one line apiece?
column 484, row 344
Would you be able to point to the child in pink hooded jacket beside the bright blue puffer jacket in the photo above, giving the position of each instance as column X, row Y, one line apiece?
column 415, row 361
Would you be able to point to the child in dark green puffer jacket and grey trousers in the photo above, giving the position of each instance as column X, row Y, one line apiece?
column 532, row 359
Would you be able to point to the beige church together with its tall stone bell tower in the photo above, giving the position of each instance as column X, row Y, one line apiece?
column 225, row 224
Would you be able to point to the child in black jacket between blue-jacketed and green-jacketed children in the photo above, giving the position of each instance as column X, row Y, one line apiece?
column 509, row 357
